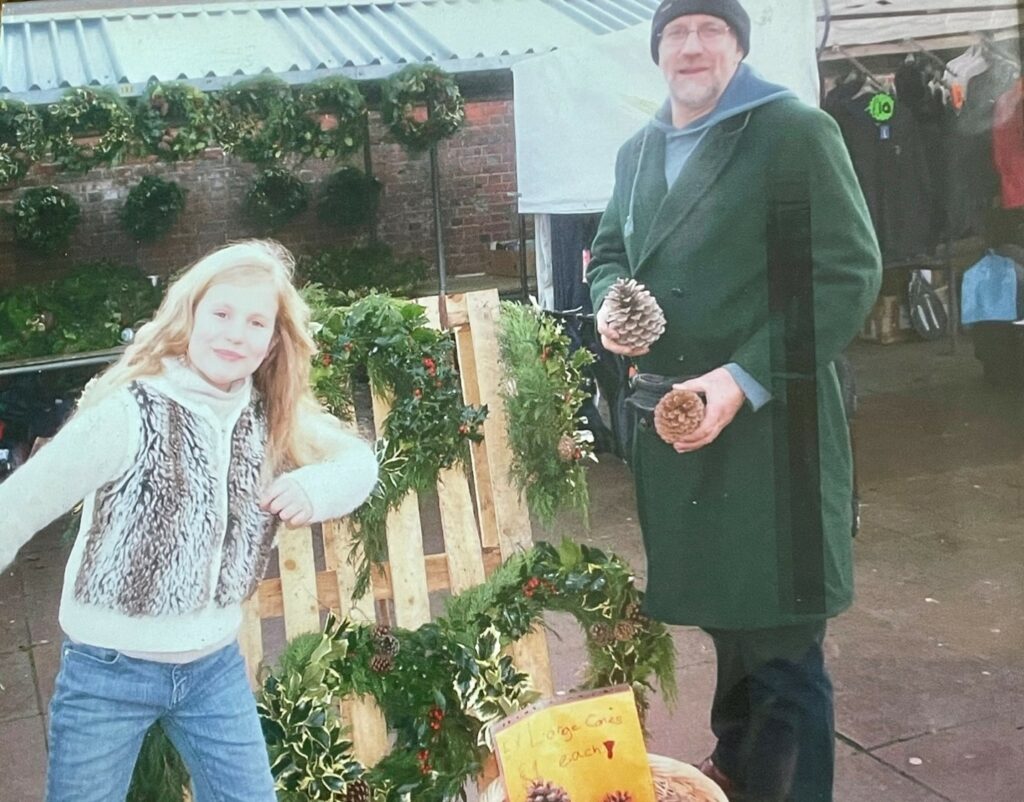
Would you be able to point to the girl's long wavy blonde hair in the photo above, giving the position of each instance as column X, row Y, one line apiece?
column 283, row 378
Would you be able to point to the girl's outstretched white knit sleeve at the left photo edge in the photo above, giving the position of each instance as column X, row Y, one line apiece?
column 94, row 448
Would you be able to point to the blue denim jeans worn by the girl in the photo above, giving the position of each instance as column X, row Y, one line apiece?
column 104, row 703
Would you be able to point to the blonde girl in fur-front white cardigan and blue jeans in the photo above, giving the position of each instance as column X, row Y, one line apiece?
column 189, row 453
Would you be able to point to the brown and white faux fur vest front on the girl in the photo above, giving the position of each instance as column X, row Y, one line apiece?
column 180, row 528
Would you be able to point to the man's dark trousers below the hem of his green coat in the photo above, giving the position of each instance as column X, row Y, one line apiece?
column 773, row 714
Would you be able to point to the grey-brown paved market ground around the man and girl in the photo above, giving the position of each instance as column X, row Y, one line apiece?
column 928, row 666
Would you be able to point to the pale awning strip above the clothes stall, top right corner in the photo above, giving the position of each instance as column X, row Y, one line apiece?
column 871, row 22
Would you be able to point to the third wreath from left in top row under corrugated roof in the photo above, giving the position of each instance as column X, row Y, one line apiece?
column 175, row 121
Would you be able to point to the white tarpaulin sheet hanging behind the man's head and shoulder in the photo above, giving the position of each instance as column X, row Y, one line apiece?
column 575, row 107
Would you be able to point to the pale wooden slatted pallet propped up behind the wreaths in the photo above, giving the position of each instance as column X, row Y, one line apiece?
column 482, row 525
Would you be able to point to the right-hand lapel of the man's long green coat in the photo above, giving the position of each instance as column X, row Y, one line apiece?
column 694, row 183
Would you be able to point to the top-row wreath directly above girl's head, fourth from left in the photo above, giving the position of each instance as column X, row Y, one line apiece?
column 251, row 119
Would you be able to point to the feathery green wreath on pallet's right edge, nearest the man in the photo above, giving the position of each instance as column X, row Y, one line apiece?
column 543, row 393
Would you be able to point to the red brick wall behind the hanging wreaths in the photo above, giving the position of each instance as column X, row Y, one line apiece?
column 478, row 168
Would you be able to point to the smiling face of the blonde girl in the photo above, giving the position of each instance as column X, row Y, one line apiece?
column 234, row 328
